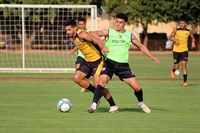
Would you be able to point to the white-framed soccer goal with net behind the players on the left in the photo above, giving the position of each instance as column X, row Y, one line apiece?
column 33, row 38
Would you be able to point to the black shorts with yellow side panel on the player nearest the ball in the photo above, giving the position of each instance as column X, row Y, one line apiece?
column 92, row 67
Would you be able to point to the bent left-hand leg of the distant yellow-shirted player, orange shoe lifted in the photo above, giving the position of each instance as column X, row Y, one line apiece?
column 176, row 58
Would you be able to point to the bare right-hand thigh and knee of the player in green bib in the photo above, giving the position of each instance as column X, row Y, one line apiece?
column 133, row 83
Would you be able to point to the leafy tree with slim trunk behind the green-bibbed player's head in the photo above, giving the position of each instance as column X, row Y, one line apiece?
column 142, row 12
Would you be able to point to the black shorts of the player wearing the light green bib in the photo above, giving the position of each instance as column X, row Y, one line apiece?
column 122, row 70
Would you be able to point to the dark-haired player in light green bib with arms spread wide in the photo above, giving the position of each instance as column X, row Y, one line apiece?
column 116, row 61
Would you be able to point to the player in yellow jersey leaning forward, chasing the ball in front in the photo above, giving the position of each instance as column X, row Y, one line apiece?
column 93, row 58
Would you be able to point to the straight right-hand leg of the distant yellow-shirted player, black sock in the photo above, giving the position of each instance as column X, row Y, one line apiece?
column 184, row 59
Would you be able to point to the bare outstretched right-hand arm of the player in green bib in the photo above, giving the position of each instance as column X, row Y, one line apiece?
column 144, row 49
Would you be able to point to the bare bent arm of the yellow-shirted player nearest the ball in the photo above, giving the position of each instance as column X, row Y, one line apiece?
column 96, row 40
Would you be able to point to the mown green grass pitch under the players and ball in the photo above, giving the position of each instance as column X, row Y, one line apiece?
column 28, row 102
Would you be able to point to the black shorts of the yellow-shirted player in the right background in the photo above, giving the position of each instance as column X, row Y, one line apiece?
column 180, row 56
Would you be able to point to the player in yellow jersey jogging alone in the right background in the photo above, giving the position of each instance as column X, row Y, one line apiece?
column 180, row 36
